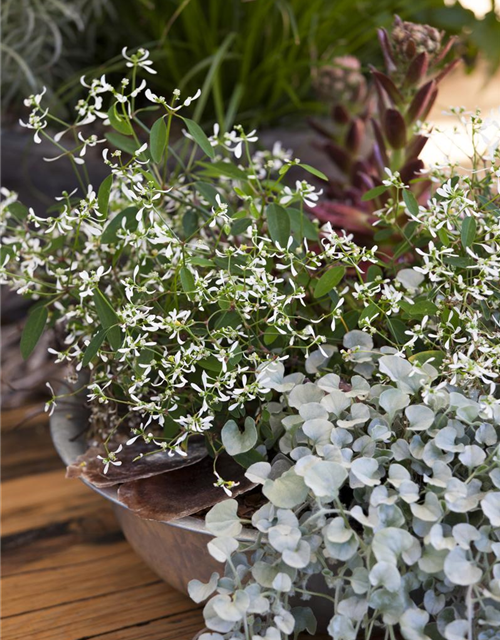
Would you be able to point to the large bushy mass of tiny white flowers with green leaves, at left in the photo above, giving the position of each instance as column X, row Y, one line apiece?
column 172, row 294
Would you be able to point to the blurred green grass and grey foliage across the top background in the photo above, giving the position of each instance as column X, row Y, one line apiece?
column 252, row 58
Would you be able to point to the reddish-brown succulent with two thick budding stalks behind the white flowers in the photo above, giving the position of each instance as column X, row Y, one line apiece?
column 380, row 126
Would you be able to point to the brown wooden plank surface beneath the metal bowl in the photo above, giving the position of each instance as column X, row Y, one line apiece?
column 67, row 571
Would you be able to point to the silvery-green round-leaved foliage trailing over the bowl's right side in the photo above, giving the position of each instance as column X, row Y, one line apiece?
column 389, row 489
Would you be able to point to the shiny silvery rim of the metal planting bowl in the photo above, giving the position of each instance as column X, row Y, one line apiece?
column 69, row 442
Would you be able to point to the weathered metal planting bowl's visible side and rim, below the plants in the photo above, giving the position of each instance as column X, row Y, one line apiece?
column 175, row 550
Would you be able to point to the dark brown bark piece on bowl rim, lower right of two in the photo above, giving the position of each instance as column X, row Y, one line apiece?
column 184, row 491
